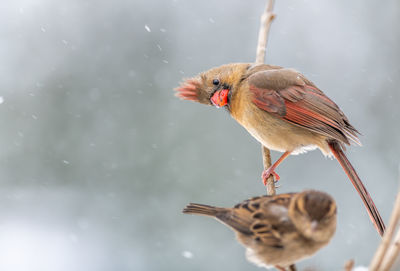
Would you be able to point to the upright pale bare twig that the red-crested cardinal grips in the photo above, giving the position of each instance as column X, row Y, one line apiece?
column 266, row 20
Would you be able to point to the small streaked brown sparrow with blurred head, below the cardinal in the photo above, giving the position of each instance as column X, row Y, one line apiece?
column 278, row 230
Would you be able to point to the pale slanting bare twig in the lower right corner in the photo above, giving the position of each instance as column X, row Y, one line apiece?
column 380, row 254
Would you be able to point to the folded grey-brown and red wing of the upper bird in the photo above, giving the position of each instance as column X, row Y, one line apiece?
column 288, row 95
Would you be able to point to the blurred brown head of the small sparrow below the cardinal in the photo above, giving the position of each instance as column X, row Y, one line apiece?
column 314, row 214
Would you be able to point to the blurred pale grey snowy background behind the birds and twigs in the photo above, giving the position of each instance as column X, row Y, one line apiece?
column 98, row 157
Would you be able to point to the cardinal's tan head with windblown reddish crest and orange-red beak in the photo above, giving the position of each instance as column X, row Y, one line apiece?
column 215, row 86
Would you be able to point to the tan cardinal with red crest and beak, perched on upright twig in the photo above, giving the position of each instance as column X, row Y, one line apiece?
column 284, row 111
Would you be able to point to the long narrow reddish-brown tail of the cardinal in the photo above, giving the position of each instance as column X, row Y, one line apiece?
column 362, row 191
